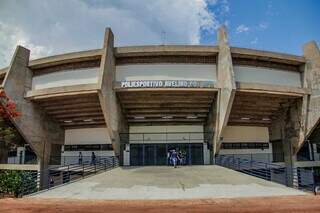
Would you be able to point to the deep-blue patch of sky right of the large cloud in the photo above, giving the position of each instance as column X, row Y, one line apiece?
column 278, row 25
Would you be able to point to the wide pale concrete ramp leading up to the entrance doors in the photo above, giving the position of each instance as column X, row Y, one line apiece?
column 135, row 183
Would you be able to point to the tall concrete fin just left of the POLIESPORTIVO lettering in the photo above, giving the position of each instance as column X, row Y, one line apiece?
column 109, row 103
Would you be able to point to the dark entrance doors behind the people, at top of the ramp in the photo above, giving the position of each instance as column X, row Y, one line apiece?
column 156, row 154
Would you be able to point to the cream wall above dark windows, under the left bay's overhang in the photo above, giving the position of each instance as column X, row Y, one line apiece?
column 87, row 136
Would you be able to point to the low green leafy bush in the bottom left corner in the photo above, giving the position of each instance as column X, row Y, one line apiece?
column 16, row 182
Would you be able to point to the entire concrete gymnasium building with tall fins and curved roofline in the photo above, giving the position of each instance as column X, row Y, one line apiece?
column 139, row 102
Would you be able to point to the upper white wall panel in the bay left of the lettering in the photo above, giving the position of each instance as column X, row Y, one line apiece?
column 65, row 78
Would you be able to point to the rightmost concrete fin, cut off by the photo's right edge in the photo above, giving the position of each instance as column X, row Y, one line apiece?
column 311, row 80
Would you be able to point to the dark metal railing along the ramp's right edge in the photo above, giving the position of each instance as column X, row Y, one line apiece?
column 295, row 177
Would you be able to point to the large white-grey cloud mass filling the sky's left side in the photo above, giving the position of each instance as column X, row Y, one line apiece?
column 53, row 27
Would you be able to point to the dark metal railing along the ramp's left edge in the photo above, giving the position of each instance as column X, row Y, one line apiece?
column 57, row 176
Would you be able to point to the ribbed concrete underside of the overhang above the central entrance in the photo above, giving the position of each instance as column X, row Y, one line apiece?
column 177, row 106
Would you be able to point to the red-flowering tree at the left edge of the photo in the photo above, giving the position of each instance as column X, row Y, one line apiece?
column 8, row 134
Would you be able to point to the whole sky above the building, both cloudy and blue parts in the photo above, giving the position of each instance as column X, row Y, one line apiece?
column 49, row 27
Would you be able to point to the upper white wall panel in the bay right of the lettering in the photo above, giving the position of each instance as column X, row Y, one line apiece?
column 267, row 76
